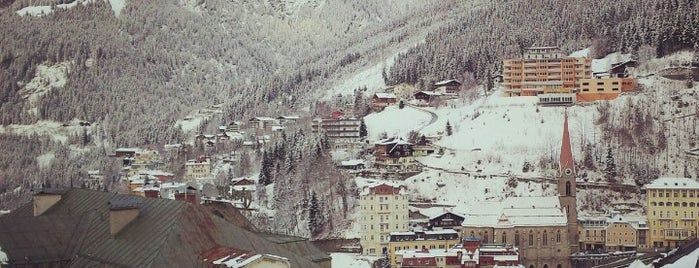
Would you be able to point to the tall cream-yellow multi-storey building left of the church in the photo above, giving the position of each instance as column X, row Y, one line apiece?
column 383, row 209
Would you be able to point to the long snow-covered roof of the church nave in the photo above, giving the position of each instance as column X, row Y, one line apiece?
column 516, row 211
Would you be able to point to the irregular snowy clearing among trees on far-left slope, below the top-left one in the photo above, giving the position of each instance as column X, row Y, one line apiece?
column 48, row 77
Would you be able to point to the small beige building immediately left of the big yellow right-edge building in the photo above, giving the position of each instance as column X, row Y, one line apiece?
column 626, row 233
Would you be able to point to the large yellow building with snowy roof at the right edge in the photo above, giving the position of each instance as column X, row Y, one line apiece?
column 672, row 206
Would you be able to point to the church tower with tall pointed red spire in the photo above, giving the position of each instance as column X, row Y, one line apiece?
column 567, row 188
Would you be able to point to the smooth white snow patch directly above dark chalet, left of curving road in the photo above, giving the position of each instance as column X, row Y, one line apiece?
column 395, row 121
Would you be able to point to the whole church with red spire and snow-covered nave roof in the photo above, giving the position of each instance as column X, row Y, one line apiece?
column 544, row 229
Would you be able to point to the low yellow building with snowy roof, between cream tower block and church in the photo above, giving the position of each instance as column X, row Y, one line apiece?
column 420, row 240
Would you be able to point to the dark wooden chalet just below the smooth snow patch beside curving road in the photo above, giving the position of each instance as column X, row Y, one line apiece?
column 394, row 154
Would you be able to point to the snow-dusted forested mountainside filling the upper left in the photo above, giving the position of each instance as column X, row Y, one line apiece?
column 136, row 74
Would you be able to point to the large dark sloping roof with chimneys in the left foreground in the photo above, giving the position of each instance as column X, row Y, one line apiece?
column 85, row 228
